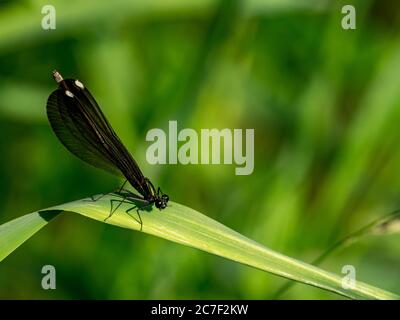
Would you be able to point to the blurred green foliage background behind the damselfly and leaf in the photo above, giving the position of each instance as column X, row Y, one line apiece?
column 324, row 103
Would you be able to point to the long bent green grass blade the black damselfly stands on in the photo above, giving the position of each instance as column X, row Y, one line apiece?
column 188, row 227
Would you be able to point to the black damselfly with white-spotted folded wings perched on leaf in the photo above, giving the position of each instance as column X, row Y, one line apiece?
column 81, row 126
